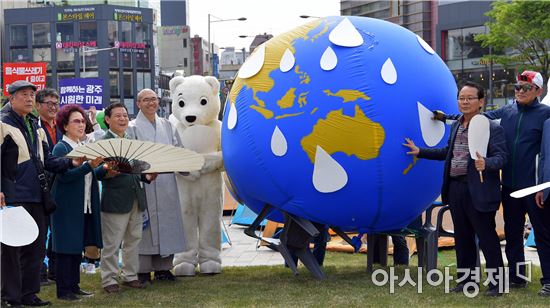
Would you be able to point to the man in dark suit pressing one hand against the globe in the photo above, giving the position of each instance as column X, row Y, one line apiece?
column 473, row 204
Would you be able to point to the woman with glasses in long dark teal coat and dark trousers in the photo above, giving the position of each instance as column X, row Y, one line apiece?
column 76, row 222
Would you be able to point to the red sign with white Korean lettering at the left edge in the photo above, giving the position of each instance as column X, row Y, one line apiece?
column 32, row 72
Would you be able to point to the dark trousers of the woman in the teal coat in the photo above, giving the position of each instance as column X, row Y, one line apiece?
column 68, row 273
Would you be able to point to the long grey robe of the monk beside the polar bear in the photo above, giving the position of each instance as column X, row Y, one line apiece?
column 164, row 234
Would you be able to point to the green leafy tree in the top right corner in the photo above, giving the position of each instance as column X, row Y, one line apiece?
column 519, row 33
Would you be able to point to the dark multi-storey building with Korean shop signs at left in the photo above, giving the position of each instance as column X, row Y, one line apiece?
column 114, row 43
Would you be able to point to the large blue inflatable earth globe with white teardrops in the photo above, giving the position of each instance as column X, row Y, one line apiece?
column 316, row 118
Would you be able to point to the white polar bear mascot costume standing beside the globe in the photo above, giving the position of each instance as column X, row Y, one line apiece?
column 195, row 108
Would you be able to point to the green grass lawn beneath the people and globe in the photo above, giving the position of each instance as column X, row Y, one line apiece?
column 347, row 284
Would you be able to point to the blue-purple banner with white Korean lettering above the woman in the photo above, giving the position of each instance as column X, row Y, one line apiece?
column 85, row 92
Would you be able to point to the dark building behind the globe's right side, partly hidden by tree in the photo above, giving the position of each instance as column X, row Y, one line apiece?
column 458, row 23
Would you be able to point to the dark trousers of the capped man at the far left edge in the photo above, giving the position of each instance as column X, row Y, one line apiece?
column 21, row 265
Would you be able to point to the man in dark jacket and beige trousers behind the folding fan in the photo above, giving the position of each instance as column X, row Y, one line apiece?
column 122, row 204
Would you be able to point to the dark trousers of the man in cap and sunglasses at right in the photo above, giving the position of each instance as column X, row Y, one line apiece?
column 514, row 224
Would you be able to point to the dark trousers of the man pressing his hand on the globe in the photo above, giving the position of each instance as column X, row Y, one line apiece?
column 469, row 222
